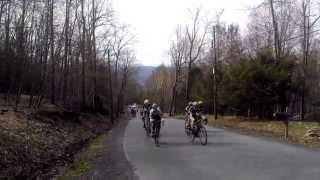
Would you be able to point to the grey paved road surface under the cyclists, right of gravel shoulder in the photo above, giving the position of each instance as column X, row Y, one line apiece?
column 228, row 156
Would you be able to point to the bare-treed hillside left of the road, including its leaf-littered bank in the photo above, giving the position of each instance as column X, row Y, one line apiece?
column 65, row 70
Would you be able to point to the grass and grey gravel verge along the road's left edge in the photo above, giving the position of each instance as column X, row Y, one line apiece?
column 104, row 158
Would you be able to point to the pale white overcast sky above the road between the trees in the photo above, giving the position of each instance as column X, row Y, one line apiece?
column 154, row 21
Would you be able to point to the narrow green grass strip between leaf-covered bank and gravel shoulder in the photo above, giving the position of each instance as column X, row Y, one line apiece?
column 84, row 162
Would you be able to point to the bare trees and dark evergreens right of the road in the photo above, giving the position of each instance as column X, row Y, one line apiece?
column 272, row 66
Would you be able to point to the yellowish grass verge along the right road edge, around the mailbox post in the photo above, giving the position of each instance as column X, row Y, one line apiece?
column 267, row 128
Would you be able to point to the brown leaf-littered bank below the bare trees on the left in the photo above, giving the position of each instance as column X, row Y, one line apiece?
column 37, row 144
